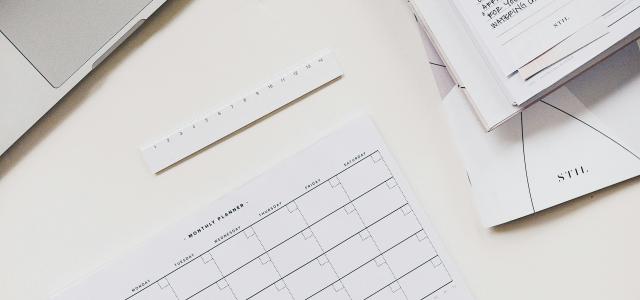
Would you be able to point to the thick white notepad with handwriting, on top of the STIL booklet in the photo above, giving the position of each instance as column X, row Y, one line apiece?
column 509, row 54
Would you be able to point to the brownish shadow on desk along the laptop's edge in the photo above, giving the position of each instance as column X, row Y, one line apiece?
column 65, row 107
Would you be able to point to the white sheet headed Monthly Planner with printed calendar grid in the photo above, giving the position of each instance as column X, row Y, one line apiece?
column 336, row 221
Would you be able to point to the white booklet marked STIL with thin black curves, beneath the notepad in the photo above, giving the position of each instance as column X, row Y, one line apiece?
column 575, row 141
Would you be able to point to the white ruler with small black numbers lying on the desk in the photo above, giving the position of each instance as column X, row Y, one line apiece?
column 242, row 111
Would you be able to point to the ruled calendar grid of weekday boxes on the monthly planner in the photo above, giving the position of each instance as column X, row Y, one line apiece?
column 352, row 236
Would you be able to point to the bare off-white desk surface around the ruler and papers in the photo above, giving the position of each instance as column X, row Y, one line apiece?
column 75, row 194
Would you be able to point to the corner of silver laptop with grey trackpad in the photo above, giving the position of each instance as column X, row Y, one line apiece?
column 48, row 46
